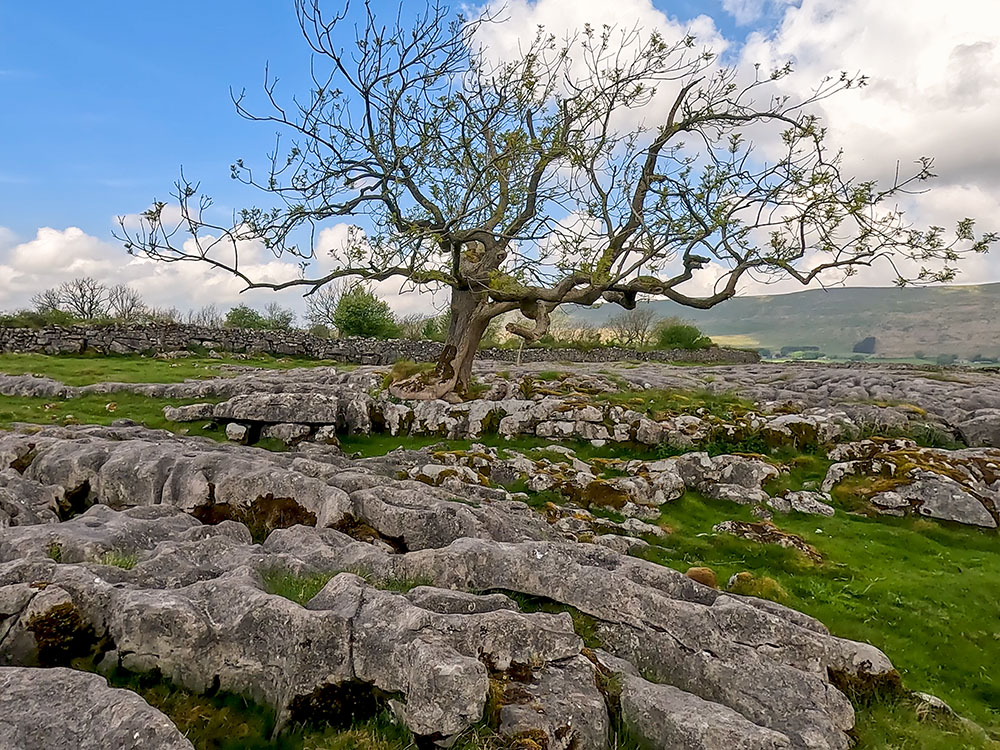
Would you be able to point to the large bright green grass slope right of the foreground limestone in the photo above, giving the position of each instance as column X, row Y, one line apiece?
column 914, row 588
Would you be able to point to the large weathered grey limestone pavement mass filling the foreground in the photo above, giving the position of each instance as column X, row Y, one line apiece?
column 172, row 552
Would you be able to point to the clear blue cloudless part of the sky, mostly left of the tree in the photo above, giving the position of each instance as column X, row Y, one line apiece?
column 103, row 101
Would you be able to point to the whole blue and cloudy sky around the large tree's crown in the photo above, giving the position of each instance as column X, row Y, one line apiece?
column 101, row 103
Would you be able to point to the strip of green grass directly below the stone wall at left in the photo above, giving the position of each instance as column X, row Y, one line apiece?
column 85, row 369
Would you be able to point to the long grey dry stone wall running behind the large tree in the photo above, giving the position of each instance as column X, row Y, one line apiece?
column 128, row 339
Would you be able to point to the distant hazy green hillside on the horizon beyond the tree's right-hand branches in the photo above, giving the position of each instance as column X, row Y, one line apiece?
column 960, row 320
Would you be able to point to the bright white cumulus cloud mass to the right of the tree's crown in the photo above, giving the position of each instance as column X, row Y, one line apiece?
column 934, row 90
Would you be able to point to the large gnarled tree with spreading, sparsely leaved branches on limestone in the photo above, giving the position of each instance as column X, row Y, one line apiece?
column 607, row 165
